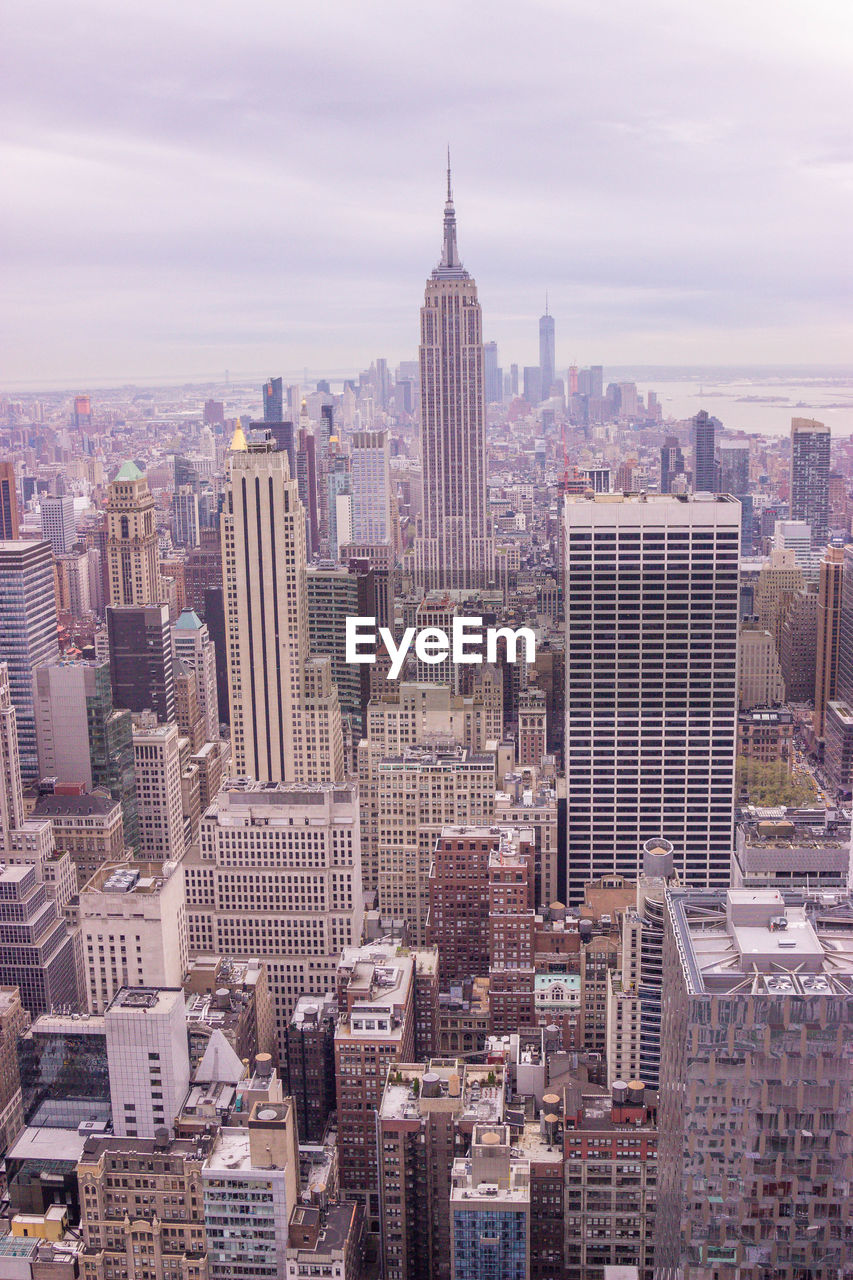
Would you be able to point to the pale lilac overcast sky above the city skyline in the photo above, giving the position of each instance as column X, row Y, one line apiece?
column 195, row 188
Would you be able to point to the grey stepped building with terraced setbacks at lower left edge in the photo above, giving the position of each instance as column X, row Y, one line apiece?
column 37, row 949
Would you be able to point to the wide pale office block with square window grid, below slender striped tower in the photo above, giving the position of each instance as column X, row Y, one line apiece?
column 279, row 876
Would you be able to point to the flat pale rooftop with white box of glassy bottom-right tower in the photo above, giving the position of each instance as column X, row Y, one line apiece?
column 763, row 940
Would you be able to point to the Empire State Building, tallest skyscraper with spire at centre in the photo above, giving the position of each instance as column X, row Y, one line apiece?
column 457, row 547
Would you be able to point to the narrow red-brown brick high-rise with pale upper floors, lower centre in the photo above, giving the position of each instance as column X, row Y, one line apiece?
column 376, row 988
